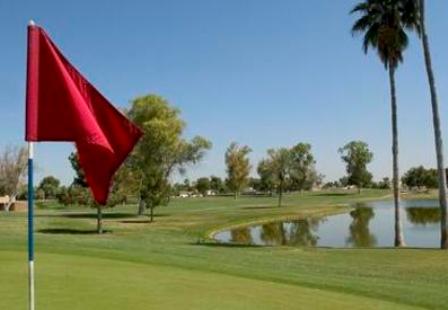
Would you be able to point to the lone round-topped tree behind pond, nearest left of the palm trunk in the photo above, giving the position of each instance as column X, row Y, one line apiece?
column 357, row 156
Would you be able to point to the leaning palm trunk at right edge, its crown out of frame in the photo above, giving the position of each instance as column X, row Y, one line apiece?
column 437, row 132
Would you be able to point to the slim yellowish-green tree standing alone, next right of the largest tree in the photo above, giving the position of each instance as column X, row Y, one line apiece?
column 238, row 167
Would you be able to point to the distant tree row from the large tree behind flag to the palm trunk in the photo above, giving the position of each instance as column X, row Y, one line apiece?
column 285, row 170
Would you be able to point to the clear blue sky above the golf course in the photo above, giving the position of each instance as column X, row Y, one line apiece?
column 263, row 73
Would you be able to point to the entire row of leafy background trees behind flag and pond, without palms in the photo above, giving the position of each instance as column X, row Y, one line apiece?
column 147, row 180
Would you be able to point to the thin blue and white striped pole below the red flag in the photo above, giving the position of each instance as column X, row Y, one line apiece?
column 30, row 226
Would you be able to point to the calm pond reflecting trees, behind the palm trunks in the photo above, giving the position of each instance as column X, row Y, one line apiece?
column 368, row 225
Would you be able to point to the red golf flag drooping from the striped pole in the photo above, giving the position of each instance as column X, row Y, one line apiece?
column 61, row 105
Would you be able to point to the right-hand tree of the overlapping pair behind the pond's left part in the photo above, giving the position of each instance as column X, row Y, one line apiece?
column 303, row 172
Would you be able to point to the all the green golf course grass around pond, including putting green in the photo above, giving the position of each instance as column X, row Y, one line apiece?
column 170, row 264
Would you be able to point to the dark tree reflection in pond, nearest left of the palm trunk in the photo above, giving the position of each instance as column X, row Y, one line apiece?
column 359, row 232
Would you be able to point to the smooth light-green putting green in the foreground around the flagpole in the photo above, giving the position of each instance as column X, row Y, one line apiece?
column 76, row 282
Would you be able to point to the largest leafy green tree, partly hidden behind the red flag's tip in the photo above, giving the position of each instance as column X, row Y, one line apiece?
column 162, row 150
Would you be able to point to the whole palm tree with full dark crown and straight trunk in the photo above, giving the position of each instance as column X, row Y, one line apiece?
column 383, row 23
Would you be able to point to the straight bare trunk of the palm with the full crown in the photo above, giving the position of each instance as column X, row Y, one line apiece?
column 399, row 240
